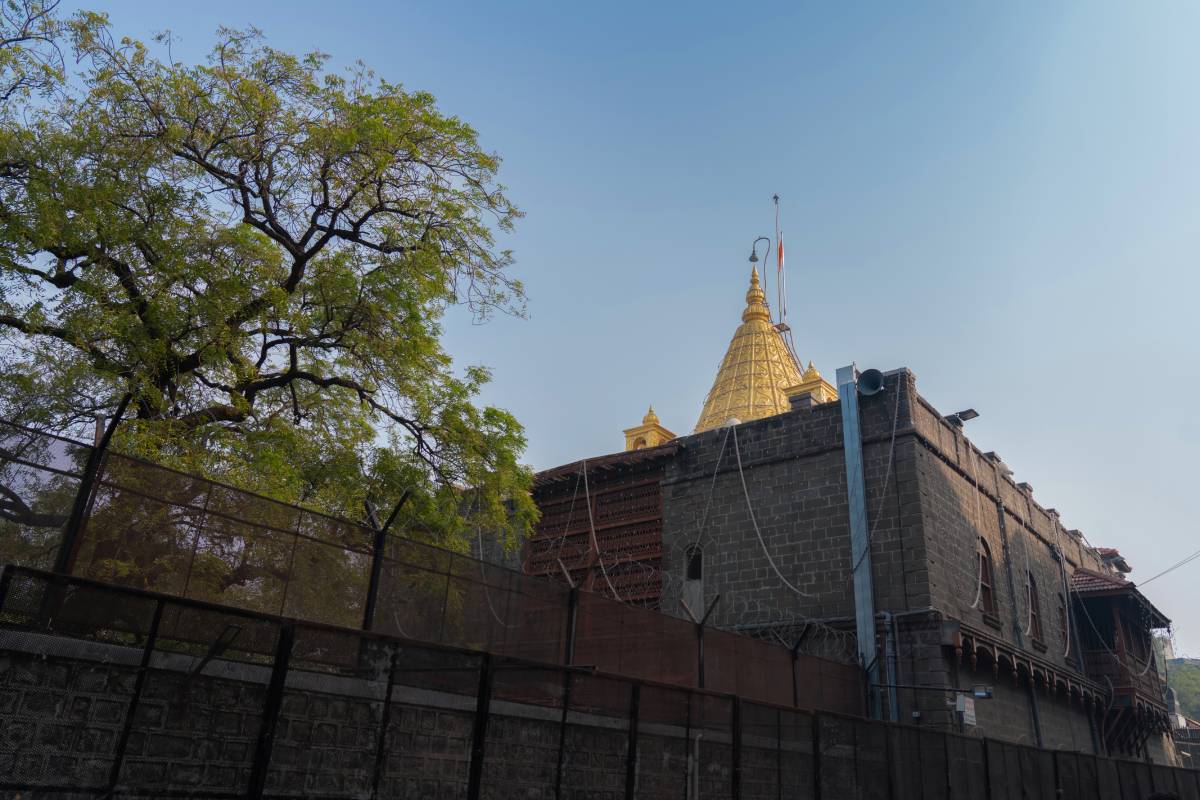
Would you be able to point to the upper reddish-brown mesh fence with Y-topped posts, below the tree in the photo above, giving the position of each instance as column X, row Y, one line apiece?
column 128, row 522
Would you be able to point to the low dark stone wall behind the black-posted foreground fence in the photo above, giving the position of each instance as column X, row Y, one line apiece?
column 62, row 717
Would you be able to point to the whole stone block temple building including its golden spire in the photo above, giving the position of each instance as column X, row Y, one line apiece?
column 974, row 584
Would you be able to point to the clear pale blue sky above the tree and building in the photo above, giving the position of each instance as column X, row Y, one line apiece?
column 1003, row 197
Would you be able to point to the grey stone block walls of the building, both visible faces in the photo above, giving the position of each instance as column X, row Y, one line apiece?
column 928, row 507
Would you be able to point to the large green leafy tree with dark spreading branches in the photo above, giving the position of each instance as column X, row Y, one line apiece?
column 261, row 252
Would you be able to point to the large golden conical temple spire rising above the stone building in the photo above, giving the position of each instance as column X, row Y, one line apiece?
column 757, row 370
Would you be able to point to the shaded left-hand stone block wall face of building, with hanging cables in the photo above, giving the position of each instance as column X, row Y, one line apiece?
column 796, row 480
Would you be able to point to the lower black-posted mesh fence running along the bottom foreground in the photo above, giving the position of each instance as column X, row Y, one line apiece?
column 115, row 693
